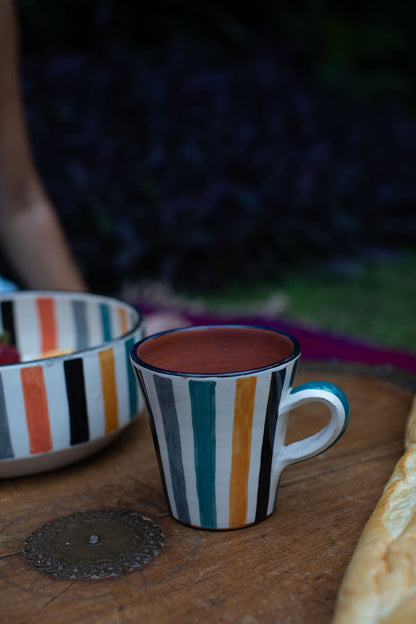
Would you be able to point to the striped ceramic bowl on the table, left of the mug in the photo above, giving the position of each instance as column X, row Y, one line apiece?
column 73, row 390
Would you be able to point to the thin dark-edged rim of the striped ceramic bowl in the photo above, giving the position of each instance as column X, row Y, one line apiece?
column 71, row 294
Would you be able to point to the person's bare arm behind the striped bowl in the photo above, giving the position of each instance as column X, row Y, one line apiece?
column 30, row 232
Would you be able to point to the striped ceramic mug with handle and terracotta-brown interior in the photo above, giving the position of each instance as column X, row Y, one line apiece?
column 218, row 397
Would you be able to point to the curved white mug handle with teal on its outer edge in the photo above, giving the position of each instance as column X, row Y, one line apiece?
column 335, row 399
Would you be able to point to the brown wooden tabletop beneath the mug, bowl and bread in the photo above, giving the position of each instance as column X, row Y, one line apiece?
column 287, row 569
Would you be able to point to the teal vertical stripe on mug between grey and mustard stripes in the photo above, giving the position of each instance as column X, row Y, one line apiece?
column 202, row 395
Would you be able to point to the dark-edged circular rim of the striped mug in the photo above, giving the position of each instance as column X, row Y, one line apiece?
column 166, row 371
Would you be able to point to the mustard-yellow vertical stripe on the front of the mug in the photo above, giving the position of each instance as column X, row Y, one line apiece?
column 240, row 465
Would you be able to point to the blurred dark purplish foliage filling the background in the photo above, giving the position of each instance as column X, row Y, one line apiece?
column 199, row 145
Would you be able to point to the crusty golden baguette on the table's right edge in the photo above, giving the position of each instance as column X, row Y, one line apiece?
column 379, row 586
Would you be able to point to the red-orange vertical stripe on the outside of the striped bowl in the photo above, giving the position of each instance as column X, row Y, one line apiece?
column 36, row 408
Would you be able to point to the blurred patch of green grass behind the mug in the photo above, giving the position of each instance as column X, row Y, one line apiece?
column 377, row 303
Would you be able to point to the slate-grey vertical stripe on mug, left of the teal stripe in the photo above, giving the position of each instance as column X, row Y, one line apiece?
column 164, row 390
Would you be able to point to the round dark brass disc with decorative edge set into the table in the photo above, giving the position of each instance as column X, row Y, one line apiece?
column 94, row 544
